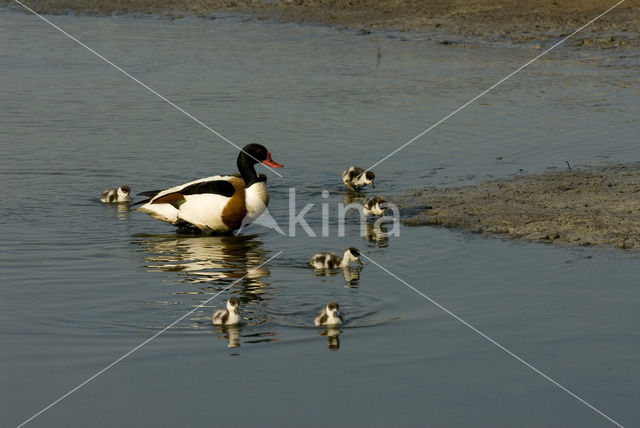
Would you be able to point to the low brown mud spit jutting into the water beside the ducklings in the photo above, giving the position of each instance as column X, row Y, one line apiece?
column 585, row 206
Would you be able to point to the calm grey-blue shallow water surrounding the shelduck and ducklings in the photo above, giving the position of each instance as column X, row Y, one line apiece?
column 83, row 283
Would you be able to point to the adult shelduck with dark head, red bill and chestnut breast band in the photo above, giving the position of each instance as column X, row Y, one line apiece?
column 216, row 204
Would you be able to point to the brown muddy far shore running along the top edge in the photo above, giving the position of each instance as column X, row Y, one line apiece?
column 530, row 21
